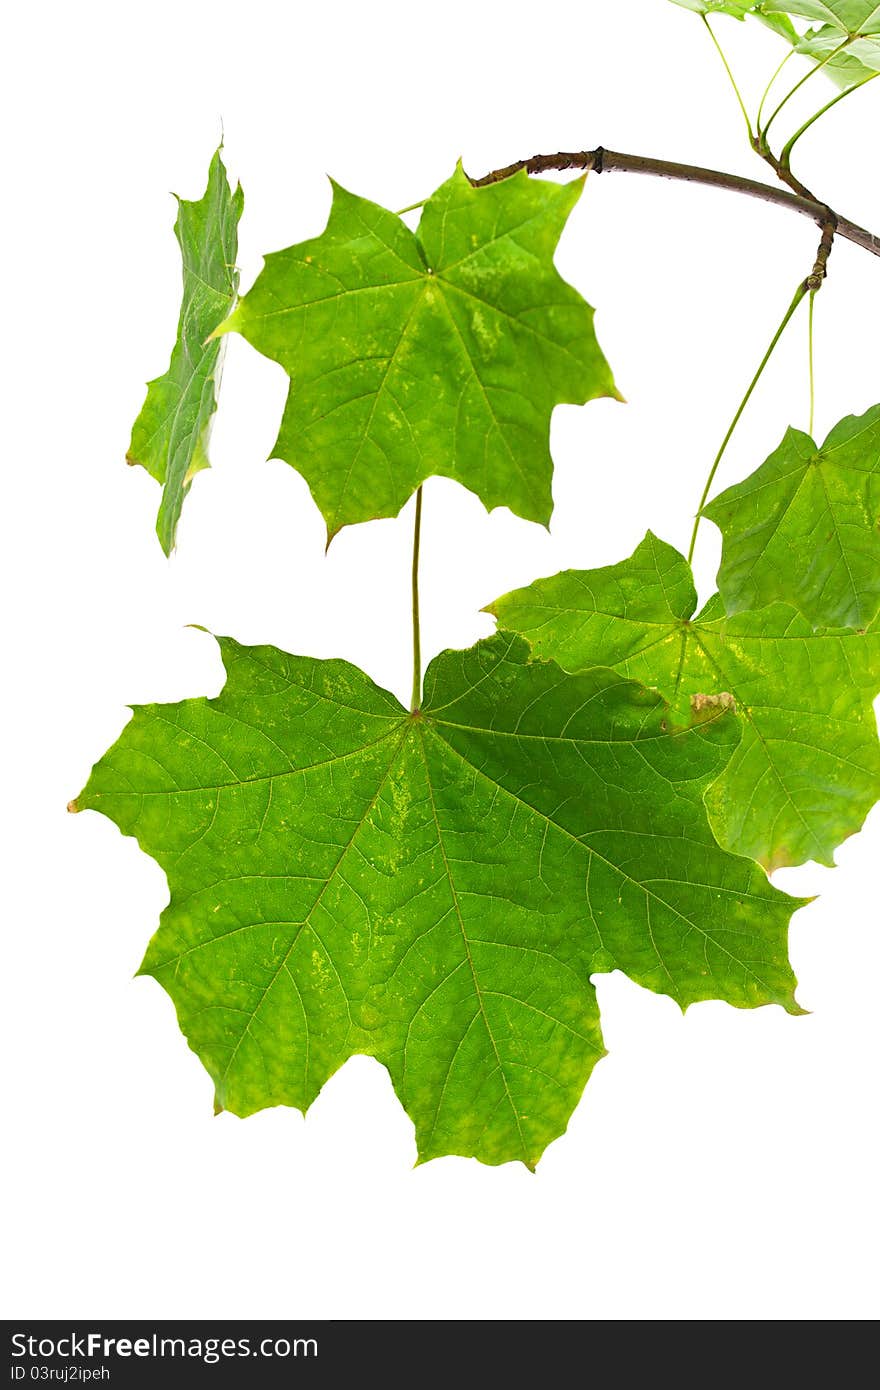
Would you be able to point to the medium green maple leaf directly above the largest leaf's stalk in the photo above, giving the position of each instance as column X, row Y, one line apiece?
column 440, row 352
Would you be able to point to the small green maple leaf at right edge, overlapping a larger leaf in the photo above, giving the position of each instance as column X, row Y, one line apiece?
column 804, row 528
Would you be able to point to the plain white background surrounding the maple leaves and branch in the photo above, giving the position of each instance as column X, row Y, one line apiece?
column 722, row 1164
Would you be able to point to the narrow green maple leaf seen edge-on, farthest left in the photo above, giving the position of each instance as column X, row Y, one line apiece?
column 172, row 433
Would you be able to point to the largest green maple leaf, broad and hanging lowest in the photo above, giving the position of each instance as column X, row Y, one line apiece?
column 434, row 890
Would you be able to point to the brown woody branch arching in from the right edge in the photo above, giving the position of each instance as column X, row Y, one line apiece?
column 611, row 162
